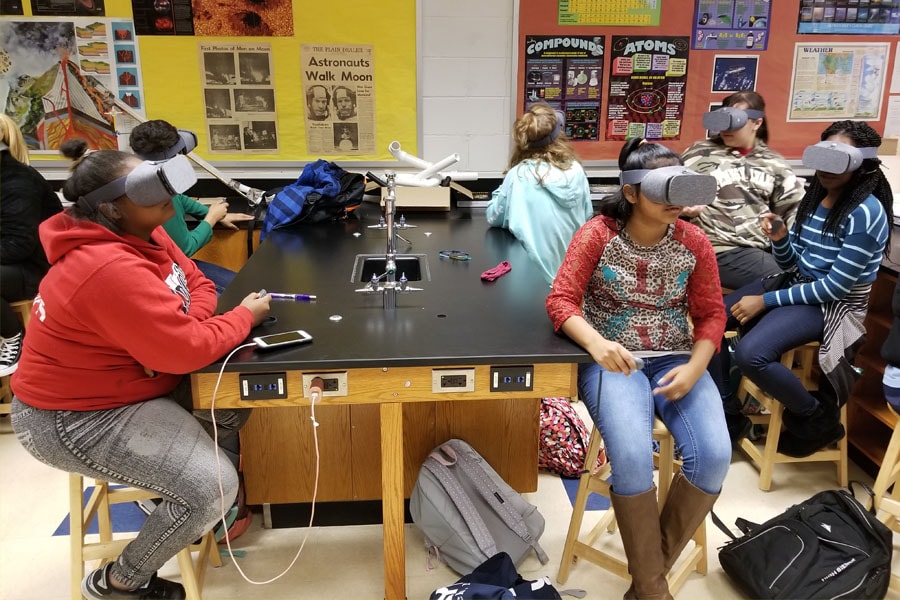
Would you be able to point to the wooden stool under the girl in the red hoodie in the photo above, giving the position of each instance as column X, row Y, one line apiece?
column 82, row 514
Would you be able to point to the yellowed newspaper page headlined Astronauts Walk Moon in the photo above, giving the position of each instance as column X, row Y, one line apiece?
column 339, row 90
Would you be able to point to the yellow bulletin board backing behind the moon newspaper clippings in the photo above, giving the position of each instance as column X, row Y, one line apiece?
column 173, row 74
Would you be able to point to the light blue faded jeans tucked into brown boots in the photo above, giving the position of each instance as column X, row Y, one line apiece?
column 624, row 407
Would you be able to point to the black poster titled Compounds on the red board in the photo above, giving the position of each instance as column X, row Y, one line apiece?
column 567, row 73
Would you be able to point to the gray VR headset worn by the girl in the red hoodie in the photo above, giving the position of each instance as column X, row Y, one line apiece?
column 149, row 183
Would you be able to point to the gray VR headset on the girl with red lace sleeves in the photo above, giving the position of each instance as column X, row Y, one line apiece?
column 676, row 185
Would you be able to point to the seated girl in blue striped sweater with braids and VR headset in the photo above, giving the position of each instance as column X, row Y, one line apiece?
column 831, row 256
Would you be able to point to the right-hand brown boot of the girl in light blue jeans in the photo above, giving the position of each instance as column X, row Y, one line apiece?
column 686, row 507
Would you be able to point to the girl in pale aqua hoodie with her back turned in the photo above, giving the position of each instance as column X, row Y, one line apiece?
column 545, row 196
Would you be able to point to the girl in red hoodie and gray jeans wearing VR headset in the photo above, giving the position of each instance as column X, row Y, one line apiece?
column 121, row 316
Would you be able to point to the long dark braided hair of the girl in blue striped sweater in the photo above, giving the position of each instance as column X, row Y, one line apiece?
column 867, row 180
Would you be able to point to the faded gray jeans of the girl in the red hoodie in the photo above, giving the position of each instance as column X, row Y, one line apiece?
column 155, row 445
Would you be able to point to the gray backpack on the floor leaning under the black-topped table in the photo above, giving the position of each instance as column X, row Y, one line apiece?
column 468, row 513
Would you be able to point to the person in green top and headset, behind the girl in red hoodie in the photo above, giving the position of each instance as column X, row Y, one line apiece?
column 159, row 140
